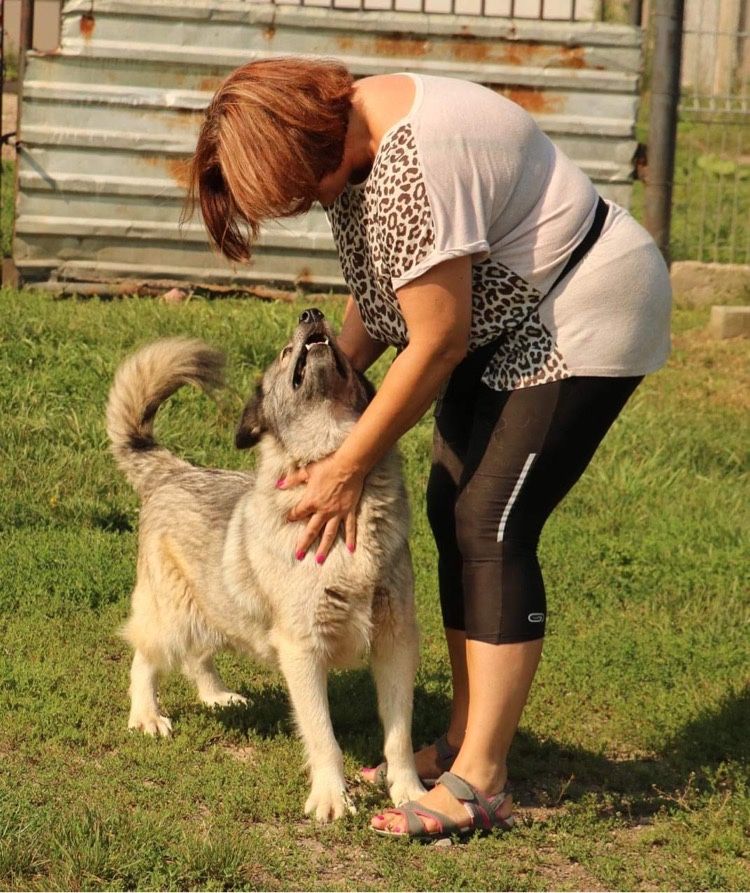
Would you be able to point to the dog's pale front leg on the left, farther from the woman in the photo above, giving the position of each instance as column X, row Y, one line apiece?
column 306, row 677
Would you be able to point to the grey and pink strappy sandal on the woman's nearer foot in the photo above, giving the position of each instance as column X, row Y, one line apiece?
column 482, row 811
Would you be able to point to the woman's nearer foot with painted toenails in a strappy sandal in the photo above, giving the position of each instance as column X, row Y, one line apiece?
column 442, row 801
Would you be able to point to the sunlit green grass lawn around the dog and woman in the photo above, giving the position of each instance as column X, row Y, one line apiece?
column 630, row 768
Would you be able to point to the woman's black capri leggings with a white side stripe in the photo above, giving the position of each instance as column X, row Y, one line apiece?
column 502, row 460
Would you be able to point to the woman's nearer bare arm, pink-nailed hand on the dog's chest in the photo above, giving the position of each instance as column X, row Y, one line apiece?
column 437, row 311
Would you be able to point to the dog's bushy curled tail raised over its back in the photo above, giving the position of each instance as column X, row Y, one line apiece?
column 142, row 383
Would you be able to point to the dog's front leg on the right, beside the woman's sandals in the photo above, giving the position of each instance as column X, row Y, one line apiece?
column 395, row 656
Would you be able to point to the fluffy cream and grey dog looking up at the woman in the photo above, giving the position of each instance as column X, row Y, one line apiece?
column 216, row 564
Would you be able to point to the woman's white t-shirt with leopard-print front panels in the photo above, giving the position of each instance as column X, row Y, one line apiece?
column 468, row 172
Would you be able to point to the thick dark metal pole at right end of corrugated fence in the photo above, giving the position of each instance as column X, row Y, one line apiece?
column 662, row 130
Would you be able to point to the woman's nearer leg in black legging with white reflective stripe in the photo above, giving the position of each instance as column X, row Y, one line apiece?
column 526, row 451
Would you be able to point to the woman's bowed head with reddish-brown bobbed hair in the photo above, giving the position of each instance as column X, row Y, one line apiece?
column 272, row 131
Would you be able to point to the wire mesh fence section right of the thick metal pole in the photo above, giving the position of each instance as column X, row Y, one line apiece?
column 711, row 212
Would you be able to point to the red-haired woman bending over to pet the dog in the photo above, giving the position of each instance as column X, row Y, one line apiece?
column 529, row 307
